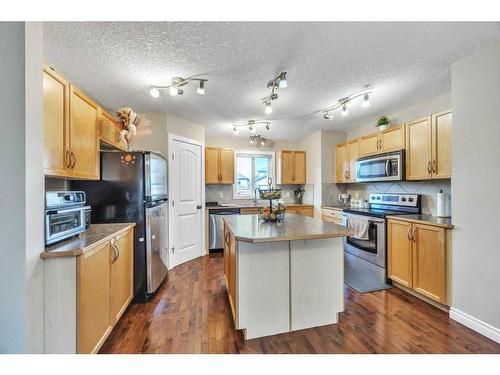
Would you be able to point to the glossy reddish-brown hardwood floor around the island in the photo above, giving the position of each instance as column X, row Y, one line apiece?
column 191, row 314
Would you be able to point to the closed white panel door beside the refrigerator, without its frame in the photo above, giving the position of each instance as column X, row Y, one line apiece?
column 186, row 202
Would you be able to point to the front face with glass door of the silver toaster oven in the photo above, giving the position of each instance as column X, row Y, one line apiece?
column 61, row 224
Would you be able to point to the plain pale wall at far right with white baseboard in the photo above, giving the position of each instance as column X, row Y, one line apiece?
column 475, row 186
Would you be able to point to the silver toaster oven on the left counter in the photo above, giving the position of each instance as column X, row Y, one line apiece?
column 65, row 215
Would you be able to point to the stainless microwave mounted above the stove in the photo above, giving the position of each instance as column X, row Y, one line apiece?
column 382, row 167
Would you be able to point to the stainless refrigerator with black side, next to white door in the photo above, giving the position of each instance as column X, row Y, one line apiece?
column 133, row 188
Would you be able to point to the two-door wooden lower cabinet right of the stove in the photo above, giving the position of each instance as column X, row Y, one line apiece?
column 417, row 258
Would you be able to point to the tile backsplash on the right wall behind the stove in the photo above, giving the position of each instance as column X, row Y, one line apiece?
column 428, row 190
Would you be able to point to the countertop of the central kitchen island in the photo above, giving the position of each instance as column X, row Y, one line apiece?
column 248, row 228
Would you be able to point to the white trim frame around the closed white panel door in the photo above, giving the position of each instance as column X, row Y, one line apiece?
column 177, row 138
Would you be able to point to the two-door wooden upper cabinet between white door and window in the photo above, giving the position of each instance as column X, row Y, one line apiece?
column 219, row 165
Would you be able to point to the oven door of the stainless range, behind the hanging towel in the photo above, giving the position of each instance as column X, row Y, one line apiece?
column 371, row 250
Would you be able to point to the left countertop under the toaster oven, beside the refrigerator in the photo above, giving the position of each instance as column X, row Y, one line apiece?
column 96, row 235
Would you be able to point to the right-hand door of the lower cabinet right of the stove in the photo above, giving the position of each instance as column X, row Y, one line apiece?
column 429, row 262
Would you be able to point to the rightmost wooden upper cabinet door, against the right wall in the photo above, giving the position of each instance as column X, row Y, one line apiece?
column 441, row 145
